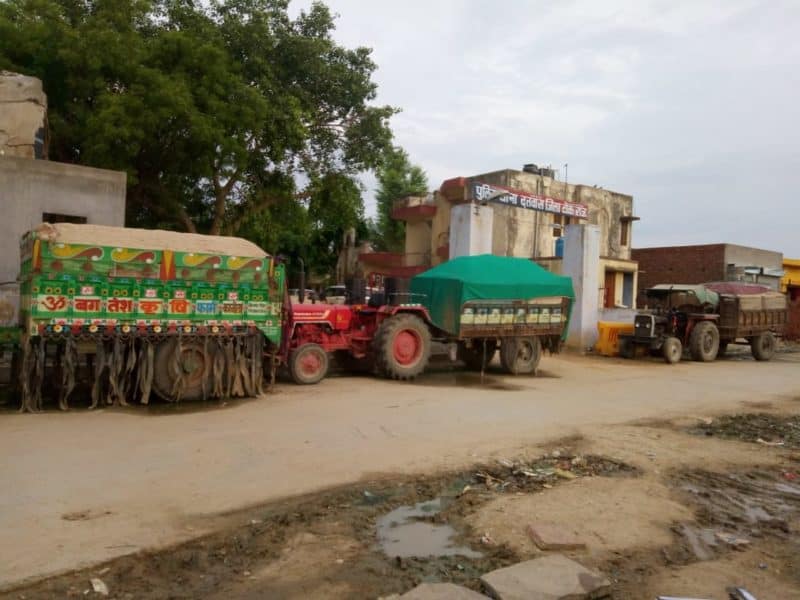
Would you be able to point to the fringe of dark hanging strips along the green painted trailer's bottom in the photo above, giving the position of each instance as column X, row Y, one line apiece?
column 125, row 368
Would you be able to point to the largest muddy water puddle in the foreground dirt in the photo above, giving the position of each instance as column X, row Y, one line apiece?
column 404, row 533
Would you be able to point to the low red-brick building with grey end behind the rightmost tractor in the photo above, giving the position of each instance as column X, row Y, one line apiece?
column 708, row 262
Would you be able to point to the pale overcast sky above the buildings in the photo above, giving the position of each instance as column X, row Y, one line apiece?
column 693, row 108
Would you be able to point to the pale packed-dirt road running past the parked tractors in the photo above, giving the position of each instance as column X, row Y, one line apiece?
column 83, row 487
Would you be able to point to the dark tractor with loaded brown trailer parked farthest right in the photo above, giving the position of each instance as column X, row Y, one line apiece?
column 705, row 321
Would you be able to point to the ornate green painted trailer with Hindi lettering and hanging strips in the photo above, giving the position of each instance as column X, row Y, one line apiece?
column 188, row 316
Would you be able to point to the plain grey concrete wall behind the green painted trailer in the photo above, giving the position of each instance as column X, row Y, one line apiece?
column 29, row 188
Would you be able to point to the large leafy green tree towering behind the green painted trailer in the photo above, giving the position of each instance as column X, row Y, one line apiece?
column 214, row 109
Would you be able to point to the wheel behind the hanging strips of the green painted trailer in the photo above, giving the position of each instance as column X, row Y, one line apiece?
column 195, row 362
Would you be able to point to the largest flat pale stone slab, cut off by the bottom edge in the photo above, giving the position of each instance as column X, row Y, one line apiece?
column 553, row 577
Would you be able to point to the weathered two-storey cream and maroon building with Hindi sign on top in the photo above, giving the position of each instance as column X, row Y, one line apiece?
column 514, row 213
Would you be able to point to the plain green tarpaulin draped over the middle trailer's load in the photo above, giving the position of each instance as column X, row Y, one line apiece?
column 445, row 288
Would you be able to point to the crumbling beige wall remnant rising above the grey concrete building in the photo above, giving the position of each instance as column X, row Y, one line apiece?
column 23, row 116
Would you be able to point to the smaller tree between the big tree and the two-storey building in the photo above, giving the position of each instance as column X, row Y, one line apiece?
column 397, row 178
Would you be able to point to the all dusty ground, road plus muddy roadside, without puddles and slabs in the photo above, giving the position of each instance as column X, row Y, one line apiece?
column 95, row 486
